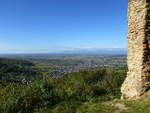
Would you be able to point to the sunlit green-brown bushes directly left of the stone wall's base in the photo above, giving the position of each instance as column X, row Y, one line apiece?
column 86, row 85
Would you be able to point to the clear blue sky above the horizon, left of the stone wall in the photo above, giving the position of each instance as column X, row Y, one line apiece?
column 55, row 25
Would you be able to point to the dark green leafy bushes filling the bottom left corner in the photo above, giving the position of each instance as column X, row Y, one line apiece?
column 26, row 98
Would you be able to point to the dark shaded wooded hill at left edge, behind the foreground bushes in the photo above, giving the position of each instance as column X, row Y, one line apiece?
column 17, row 71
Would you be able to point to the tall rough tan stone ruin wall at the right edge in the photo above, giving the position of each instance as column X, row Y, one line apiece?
column 137, row 82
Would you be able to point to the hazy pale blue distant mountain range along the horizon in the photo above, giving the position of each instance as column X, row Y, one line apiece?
column 88, row 51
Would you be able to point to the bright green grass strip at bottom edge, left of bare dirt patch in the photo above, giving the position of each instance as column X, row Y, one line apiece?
column 87, row 107
